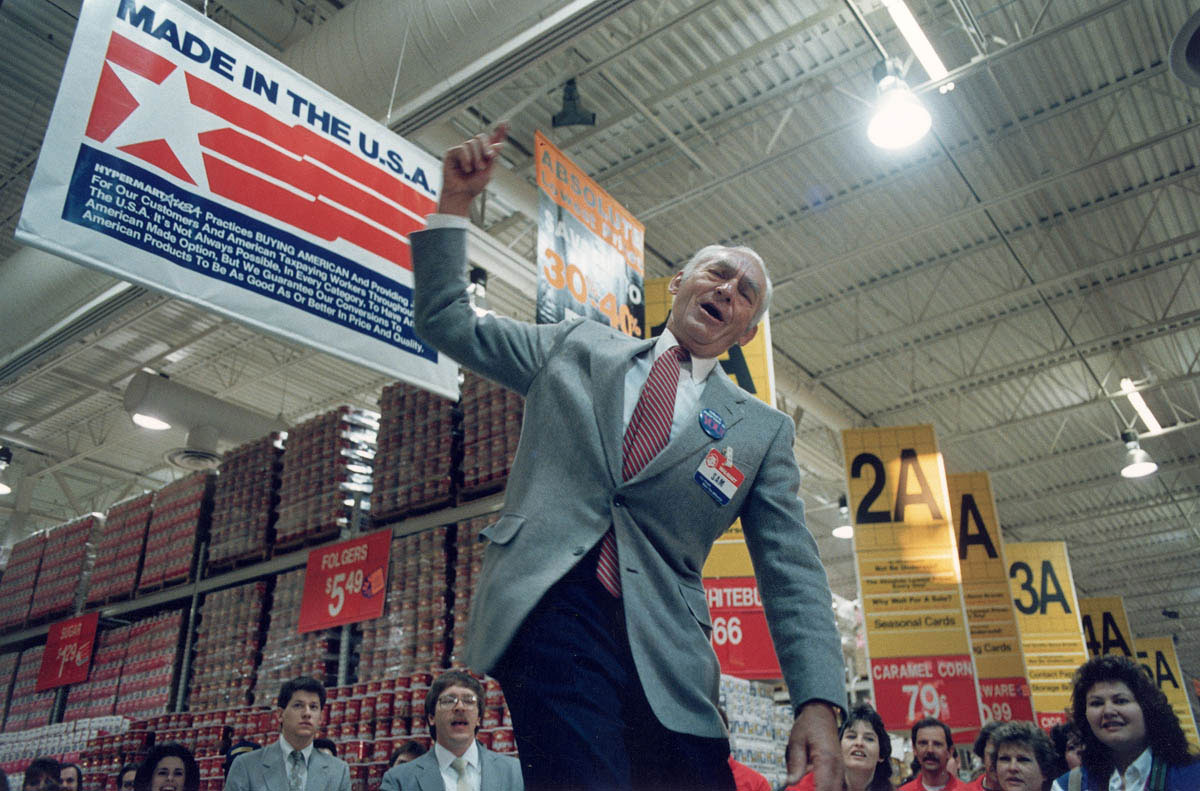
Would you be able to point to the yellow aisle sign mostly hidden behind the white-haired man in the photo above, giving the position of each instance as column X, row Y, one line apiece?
column 752, row 369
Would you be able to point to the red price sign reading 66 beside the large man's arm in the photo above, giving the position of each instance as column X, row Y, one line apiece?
column 740, row 637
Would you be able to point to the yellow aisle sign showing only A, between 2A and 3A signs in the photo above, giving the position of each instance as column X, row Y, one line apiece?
column 1004, row 686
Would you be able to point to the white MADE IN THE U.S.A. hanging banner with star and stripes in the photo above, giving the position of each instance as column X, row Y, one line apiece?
column 183, row 159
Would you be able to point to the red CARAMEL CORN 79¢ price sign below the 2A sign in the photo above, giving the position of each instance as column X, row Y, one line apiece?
column 911, row 688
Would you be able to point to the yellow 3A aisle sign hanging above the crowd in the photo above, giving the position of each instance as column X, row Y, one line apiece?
column 1048, row 618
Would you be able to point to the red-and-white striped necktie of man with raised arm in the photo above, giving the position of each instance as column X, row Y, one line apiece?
column 647, row 435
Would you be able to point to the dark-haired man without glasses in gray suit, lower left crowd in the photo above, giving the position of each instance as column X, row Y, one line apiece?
column 292, row 764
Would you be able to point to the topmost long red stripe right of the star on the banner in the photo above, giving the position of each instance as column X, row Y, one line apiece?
column 304, row 142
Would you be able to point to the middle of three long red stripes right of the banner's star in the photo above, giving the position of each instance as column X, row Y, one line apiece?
column 307, row 177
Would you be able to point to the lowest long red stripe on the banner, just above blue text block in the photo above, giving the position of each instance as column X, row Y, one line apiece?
column 319, row 219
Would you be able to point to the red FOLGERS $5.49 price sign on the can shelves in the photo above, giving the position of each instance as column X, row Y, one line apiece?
column 346, row 583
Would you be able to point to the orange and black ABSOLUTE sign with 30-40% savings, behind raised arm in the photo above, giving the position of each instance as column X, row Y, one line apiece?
column 590, row 248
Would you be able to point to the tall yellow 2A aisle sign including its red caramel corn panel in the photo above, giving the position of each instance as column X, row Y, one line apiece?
column 910, row 584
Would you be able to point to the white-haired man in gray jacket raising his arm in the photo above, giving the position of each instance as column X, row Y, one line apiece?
column 591, row 609
